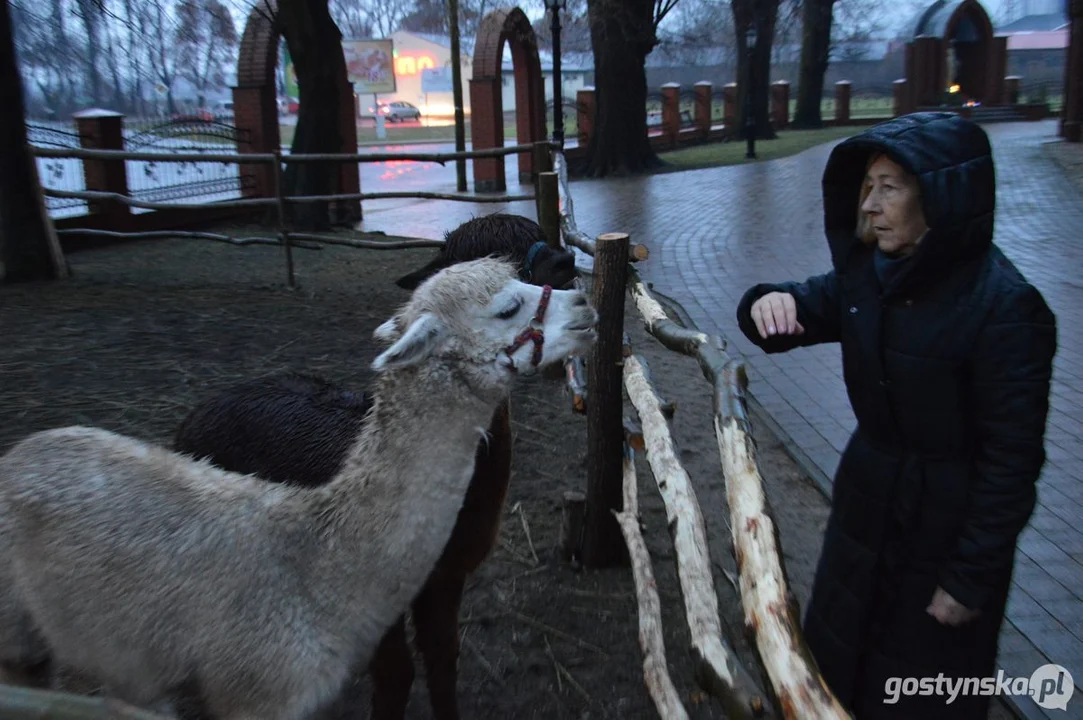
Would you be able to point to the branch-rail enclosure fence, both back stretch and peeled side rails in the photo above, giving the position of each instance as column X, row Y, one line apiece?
column 771, row 612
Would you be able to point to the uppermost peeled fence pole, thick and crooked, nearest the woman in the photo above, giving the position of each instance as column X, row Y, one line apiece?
column 772, row 614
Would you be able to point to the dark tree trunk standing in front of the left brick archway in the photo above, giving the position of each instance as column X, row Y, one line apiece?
column 316, row 47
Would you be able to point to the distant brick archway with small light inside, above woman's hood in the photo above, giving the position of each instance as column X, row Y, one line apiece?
column 982, row 56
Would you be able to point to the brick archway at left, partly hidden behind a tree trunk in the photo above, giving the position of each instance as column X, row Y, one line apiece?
column 256, row 113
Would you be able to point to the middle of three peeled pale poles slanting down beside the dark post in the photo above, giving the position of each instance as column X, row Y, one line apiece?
column 719, row 669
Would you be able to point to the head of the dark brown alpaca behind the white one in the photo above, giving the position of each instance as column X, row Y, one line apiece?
column 516, row 238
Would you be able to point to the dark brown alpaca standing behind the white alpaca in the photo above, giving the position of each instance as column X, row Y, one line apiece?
column 297, row 429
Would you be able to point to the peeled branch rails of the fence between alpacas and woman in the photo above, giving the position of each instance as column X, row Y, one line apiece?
column 772, row 617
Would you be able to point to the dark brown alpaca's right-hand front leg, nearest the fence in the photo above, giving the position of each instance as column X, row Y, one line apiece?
column 437, row 618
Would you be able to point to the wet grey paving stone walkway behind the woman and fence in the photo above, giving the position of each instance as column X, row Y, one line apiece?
column 714, row 233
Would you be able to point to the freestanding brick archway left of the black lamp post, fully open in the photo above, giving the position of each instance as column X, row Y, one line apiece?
column 487, row 102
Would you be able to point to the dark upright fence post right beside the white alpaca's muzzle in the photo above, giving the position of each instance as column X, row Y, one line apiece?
column 603, row 540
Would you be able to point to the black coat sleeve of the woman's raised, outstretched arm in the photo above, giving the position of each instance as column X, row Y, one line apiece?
column 818, row 302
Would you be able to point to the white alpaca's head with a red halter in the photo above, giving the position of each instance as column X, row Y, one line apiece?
column 492, row 326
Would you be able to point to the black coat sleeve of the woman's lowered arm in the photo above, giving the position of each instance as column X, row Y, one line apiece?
column 1011, row 373
